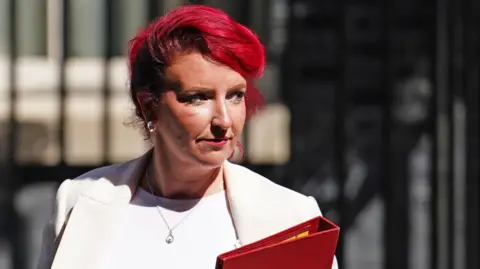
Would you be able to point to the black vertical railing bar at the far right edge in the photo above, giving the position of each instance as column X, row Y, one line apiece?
column 471, row 78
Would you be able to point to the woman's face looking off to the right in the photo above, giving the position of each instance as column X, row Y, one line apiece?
column 201, row 117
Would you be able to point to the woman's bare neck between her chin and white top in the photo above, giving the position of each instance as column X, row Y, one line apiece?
column 187, row 182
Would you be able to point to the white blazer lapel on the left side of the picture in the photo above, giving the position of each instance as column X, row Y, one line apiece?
column 95, row 216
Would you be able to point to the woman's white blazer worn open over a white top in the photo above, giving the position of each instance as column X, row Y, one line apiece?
column 88, row 206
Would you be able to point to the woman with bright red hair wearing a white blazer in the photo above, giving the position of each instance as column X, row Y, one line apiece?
column 182, row 203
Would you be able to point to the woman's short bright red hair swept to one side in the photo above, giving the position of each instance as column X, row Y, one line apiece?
column 199, row 28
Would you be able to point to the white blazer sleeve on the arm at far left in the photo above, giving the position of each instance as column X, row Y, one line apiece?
column 54, row 228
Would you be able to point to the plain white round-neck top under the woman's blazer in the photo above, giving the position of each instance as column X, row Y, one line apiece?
column 206, row 232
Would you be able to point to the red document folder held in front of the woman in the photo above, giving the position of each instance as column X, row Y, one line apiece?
column 309, row 245
